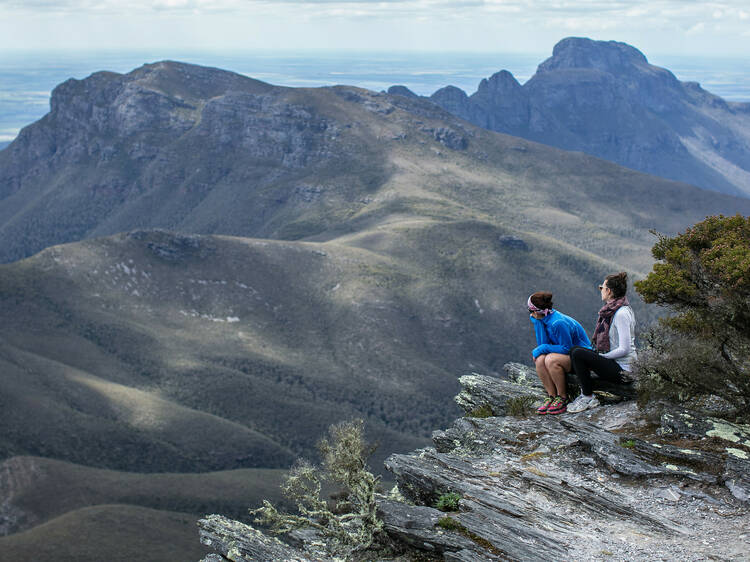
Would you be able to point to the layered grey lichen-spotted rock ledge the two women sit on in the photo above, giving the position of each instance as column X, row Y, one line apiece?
column 614, row 483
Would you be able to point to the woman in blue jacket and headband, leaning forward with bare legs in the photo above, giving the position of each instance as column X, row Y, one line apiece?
column 556, row 334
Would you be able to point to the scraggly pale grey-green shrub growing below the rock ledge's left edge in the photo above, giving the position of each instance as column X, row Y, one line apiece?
column 352, row 524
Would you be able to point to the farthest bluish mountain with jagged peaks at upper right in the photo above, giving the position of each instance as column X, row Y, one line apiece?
column 604, row 98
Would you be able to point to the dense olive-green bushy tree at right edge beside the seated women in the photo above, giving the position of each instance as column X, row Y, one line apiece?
column 704, row 276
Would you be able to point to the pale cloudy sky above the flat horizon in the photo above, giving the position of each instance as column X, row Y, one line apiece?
column 719, row 28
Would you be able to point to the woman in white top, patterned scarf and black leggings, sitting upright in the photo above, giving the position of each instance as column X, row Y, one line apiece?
column 614, row 342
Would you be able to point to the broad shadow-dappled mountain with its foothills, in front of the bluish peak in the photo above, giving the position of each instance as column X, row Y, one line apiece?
column 209, row 270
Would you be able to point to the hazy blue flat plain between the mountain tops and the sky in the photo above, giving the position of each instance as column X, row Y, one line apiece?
column 28, row 76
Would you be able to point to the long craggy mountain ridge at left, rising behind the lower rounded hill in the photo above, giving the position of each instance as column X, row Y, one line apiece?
column 202, row 150
